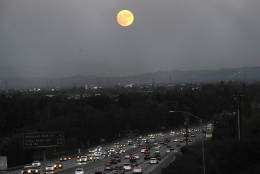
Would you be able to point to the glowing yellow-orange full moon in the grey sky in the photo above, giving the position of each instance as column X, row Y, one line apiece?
column 125, row 18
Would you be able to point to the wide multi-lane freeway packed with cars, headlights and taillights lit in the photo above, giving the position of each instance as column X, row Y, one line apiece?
column 141, row 154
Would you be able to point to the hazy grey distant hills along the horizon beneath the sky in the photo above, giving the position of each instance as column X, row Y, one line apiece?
column 245, row 74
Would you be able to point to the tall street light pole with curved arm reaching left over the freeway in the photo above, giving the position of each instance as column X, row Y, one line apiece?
column 202, row 139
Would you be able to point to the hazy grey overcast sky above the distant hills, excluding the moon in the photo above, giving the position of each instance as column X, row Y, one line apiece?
column 54, row 38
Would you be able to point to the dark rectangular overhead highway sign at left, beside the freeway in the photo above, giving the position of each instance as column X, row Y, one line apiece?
column 43, row 139
